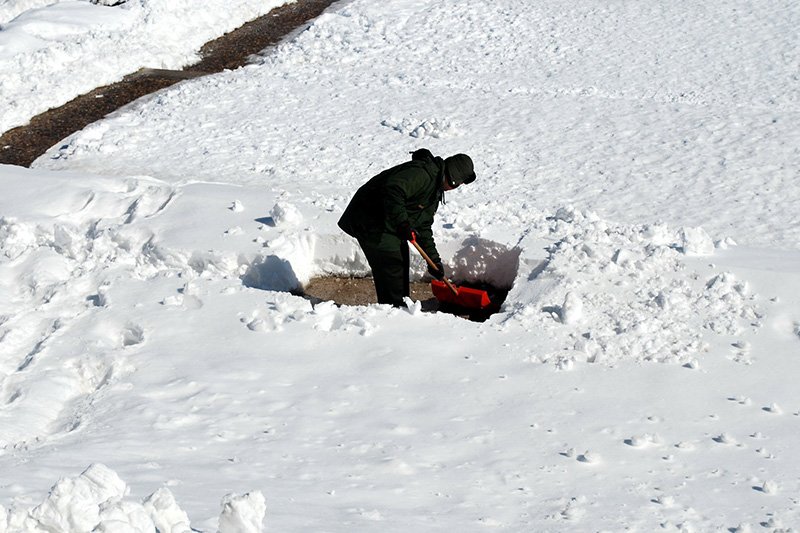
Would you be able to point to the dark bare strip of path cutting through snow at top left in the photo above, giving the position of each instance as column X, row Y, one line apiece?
column 22, row 146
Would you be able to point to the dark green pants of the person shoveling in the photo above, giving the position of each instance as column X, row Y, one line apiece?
column 389, row 261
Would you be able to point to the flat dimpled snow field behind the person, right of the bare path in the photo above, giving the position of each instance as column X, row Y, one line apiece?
column 641, row 112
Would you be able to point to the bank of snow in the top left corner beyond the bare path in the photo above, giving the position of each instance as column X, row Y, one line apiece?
column 52, row 51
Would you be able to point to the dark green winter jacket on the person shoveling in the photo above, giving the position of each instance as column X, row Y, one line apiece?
column 409, row 192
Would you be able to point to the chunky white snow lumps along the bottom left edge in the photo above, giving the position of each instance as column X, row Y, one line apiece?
column 95, row 501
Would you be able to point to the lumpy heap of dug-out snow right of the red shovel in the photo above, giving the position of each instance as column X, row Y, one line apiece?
column 616, row 292
